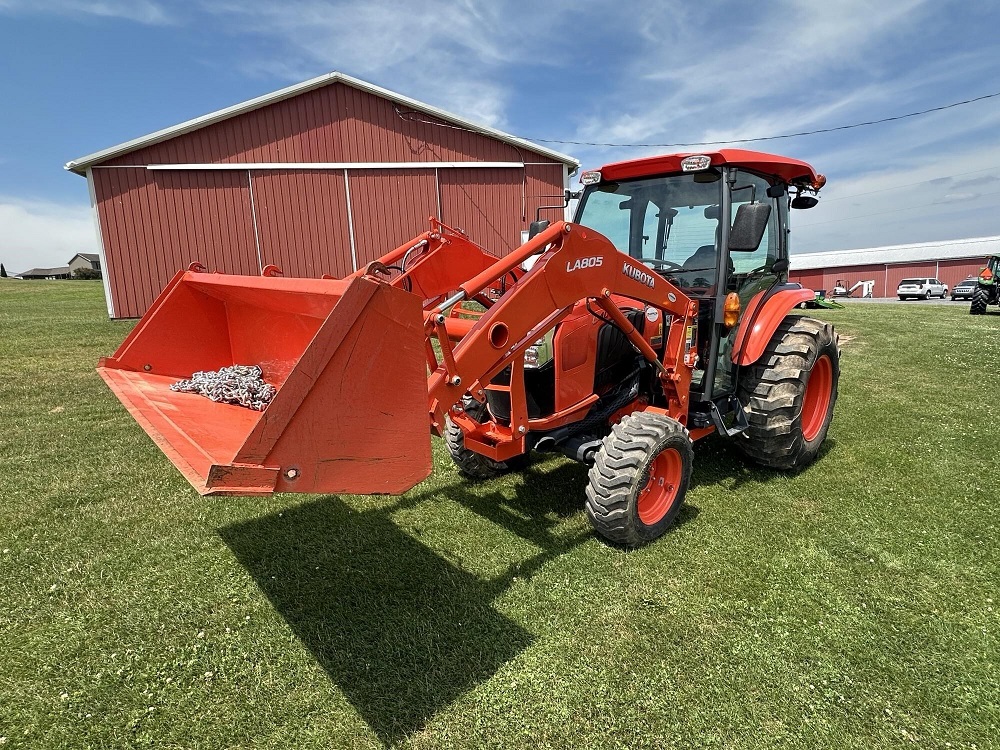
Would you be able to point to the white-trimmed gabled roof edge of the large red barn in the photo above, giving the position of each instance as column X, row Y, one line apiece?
column 80, row 165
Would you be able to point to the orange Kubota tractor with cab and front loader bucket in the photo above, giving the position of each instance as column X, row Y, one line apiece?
column 661, row 315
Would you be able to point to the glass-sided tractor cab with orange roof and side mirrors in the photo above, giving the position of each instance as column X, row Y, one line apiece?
column 714, row 225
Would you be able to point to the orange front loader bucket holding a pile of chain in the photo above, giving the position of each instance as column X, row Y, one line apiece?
column 347, row 359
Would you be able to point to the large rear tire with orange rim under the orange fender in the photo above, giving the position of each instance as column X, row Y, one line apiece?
column 789, row 395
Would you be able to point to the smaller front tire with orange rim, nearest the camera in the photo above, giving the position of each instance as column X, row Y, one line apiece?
column 639, row 478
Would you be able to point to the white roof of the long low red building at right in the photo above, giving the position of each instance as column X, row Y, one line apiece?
column 975, row 247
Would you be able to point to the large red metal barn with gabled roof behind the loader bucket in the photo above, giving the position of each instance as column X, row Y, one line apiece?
column 321, row 177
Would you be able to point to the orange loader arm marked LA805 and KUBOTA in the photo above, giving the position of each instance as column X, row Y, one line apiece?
column 576, row 263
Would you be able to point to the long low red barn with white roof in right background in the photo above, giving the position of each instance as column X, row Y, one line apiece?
column 950, row 261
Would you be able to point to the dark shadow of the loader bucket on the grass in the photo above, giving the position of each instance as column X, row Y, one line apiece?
column 401, row 630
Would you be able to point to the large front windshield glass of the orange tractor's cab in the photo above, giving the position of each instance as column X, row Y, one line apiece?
column 669, row 223
